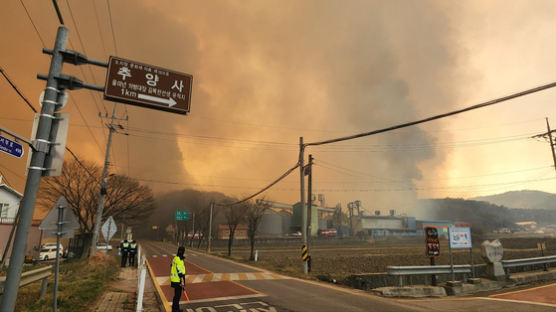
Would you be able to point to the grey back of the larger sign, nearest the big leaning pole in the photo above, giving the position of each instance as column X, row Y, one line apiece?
column 49, row 224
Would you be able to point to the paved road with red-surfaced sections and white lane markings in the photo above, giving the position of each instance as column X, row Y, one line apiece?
column 215, row 284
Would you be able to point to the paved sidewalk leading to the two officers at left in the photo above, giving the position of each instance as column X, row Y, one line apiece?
column 121, row 294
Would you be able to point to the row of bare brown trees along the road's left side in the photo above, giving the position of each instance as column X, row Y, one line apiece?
column 133, row 204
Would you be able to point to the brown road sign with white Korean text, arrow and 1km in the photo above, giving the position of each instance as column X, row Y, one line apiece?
column 148, row 86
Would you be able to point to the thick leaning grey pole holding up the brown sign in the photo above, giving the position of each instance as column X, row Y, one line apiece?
column 51, row 98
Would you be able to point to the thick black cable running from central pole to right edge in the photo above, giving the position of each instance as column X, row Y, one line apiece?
column 404, row 125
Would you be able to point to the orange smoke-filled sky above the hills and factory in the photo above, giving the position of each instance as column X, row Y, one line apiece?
column 268, row 72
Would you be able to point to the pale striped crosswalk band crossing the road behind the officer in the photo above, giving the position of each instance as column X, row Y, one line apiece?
column 216, row 277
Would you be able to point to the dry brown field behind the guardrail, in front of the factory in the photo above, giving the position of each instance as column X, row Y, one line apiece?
column 344, row 258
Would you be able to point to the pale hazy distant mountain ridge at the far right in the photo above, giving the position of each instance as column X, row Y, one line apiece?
column 522, row 200
